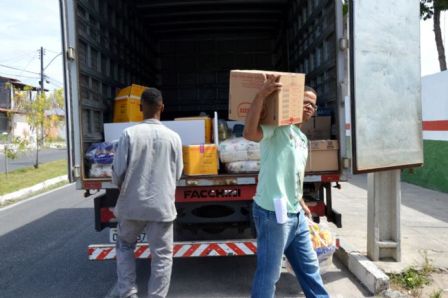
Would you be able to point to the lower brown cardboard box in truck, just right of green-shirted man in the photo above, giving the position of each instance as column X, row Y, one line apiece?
column 323, row 156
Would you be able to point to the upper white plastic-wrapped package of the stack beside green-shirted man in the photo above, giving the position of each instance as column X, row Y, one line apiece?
column 238, row 149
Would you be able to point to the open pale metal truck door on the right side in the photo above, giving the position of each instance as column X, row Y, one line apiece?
column 385, row 85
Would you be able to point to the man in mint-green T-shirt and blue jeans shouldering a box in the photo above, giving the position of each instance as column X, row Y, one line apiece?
column 282, row 227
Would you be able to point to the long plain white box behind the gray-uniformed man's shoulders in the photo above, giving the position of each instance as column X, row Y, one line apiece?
column 191, row 132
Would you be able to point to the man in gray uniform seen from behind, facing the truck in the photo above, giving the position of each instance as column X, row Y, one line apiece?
column 147, row 164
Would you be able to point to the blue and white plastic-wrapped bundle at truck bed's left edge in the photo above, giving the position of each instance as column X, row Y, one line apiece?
column 100, row 157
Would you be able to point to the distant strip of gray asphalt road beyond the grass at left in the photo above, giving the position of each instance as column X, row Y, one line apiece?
column 26, row 159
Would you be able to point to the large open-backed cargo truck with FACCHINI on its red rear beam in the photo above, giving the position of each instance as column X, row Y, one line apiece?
column 366, row 71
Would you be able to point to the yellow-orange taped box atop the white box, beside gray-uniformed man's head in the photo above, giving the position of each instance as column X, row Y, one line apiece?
column 127, row 104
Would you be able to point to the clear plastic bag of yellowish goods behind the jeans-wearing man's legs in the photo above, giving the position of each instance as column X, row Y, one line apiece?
column 323, row 242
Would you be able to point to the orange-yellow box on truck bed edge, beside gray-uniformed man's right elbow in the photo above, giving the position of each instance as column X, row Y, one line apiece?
column 200, row 159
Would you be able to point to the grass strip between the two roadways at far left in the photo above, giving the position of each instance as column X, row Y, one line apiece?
column 26, row 177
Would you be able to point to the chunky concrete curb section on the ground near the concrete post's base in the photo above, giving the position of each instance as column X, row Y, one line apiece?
column 375, row 280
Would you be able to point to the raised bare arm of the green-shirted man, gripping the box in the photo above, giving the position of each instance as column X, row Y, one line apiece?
column 252, row 128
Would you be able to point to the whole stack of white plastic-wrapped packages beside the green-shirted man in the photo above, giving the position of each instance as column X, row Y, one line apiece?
column 240, row 155
